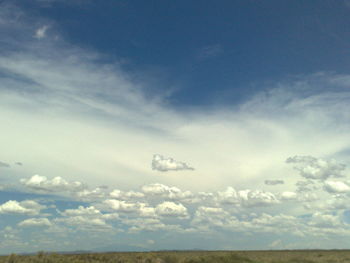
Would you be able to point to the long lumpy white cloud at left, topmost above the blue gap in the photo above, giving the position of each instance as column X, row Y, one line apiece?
column 57, row 184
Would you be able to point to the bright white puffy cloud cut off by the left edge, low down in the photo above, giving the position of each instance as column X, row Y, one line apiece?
column 27, row 207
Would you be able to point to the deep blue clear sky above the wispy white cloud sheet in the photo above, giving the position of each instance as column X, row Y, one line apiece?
column 211, row 48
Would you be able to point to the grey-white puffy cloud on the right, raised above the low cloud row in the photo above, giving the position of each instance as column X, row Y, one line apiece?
column 316, row 168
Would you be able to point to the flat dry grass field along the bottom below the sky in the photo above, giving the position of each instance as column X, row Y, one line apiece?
column 295, row 256
